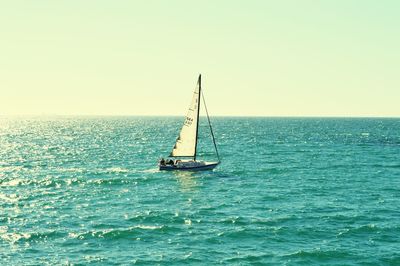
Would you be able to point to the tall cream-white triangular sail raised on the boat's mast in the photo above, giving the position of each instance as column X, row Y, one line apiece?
column 186, row 142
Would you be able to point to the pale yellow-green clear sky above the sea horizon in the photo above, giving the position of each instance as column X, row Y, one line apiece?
column 257, row 58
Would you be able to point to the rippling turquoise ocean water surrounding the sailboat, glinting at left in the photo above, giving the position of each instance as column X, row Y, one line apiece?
column 289, row 191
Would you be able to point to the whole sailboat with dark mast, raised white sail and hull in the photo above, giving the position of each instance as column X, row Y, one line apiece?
column 184, row 153
